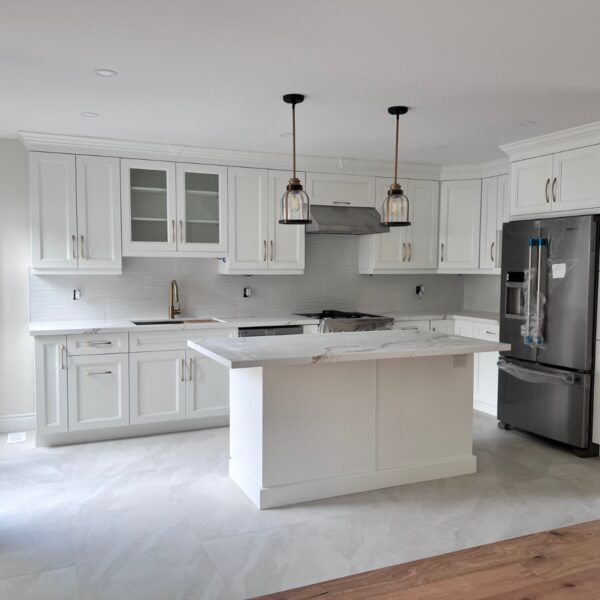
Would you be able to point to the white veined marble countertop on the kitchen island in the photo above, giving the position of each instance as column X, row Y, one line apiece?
column 240, row 353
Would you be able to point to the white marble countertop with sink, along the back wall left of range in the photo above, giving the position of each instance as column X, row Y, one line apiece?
column 125, row 325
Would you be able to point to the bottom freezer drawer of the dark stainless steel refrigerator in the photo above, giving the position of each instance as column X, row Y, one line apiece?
column 550, row 402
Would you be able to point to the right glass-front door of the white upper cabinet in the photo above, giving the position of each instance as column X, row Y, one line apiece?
column 201, row 208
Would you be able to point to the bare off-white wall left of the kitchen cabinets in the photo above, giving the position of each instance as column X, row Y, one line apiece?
column 16, row 347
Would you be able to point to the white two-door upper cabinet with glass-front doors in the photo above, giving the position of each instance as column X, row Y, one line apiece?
column 171, row 209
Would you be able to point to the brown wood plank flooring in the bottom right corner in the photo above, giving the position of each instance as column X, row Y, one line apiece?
column 552, row 565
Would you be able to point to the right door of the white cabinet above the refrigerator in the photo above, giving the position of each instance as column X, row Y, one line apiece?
column 576, row 183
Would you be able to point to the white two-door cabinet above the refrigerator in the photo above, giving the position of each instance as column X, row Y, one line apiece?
column 558, row 182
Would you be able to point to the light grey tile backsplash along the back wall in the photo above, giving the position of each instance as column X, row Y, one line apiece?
column 331, row 280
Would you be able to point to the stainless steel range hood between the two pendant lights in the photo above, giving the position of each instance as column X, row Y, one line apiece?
column 348, row 220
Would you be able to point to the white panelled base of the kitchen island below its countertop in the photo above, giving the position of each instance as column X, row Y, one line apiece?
column 306, row 432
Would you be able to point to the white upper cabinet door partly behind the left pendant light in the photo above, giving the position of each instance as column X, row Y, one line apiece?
column 286, row 242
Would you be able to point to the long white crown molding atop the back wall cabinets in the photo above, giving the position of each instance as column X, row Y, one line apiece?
column 49, row 142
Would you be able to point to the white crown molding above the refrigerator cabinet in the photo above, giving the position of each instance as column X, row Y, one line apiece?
column 559, row 141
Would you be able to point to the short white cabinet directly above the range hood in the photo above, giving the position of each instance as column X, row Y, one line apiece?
column 338, row 189
